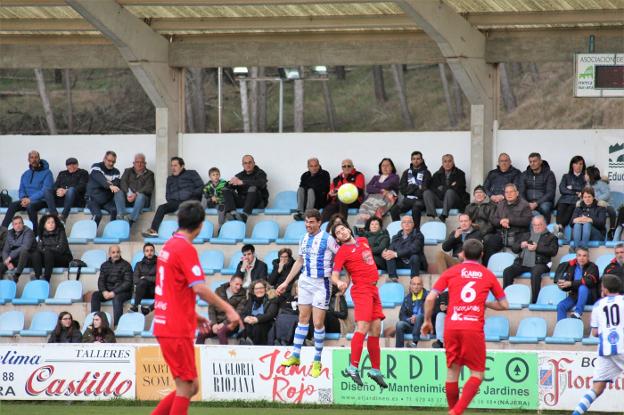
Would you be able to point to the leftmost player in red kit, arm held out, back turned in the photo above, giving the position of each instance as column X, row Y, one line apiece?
column 179, row 278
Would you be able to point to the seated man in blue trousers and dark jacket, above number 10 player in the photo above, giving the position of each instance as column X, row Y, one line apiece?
column 579, row 277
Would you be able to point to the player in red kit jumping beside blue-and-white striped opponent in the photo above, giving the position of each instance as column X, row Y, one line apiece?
column 356, row 256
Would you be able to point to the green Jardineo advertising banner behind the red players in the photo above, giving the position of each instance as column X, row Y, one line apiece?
column 416, row 378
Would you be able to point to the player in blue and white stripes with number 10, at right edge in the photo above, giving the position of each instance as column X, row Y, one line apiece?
column 607, row 324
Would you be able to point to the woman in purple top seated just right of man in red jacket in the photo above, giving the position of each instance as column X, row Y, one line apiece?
column 382, row 190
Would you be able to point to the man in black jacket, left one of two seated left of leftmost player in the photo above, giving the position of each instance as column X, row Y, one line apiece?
column 114, row 283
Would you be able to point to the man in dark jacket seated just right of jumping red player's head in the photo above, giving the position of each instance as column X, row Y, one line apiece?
column 406, row 250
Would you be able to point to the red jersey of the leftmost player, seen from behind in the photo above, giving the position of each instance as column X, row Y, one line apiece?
column 177, row 270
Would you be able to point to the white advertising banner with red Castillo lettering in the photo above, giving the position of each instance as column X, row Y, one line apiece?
column 66, row 371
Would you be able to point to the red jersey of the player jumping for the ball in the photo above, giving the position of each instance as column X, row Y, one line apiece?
column 358, row 259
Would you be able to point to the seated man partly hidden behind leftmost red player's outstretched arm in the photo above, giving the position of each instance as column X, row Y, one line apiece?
column 233, row 293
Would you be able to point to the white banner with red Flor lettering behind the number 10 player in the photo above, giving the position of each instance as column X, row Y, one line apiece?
column 564, row 376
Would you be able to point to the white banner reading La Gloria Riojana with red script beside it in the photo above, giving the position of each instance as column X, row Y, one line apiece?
column 254, row 373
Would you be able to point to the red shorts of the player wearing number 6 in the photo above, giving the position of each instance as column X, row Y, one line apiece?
column 465, row 348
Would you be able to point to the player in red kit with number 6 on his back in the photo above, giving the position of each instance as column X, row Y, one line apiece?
column 469, row 284
